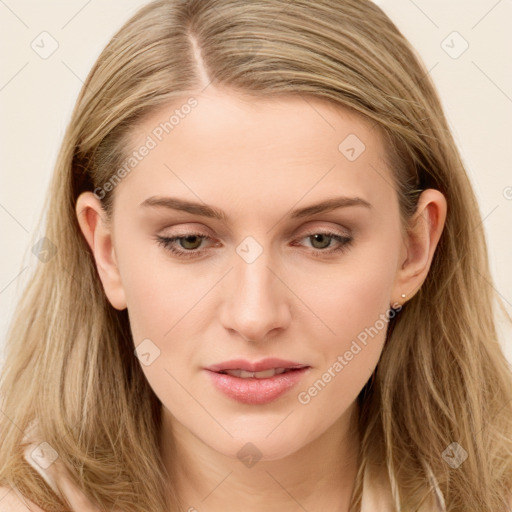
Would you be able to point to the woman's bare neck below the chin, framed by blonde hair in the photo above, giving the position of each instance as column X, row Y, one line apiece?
column 319, row 476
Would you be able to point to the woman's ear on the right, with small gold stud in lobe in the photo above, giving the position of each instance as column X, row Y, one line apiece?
column 422, row 237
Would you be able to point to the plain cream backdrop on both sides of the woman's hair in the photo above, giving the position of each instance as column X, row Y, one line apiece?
column 49, row 48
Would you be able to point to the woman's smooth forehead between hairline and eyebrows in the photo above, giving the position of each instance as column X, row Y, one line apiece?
column 257, row 151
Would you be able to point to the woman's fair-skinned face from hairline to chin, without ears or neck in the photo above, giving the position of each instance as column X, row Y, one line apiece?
column 273, row 277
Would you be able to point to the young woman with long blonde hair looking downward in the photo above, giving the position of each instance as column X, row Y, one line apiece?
column 270, row 284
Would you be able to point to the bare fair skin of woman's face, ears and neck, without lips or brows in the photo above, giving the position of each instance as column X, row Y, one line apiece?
column 258, row 160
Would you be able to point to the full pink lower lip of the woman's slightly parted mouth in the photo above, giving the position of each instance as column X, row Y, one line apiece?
column 256, row 391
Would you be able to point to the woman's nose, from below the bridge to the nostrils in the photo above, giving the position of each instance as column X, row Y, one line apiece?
column 257, row 300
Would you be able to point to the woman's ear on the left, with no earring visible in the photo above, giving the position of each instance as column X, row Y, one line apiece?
column 97, row 232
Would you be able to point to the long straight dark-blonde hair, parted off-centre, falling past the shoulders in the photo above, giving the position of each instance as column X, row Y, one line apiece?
column 442, row 377
